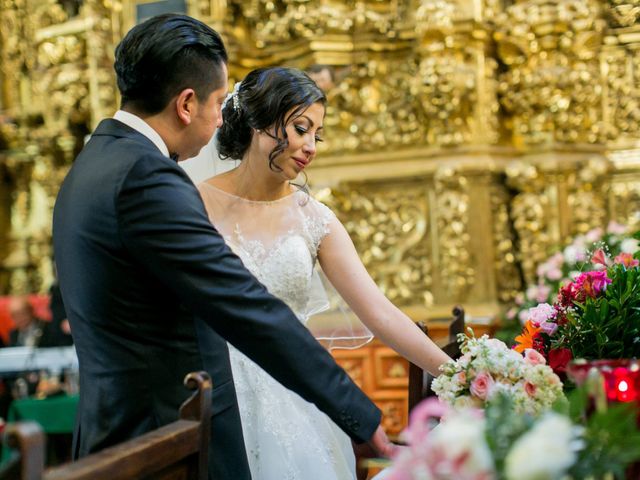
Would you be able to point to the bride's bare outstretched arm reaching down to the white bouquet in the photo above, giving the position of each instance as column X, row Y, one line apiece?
column 342, row 266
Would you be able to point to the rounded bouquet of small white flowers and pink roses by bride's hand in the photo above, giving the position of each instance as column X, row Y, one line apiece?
column 488, row 368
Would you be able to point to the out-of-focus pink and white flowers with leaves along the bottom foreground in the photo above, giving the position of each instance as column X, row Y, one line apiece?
column 498, row 443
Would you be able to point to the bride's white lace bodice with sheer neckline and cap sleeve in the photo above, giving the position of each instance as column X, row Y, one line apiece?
column 277, row 241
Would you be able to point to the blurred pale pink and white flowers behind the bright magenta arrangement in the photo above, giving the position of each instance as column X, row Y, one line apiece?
column 562, row 267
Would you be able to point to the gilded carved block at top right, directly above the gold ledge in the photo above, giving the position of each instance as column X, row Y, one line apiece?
column 552, row 90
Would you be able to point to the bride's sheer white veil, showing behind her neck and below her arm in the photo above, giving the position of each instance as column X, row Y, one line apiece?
column 327, row 315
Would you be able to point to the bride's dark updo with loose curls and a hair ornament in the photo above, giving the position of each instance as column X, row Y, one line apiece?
column 265, row 97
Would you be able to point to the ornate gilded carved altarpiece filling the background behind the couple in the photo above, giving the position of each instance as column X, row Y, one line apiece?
column 464, row 137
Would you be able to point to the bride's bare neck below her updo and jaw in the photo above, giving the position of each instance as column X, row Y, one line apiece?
column 254, row 180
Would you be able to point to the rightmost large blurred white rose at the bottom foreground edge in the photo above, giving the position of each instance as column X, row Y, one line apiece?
column 553, row 438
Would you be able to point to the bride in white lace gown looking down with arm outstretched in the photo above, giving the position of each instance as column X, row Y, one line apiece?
column 272, row 123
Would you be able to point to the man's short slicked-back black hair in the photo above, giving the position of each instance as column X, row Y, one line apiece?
column 162, row 56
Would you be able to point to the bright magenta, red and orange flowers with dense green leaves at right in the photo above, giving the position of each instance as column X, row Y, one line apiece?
column 594, row 316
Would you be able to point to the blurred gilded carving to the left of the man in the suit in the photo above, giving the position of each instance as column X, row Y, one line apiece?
column 70, row 85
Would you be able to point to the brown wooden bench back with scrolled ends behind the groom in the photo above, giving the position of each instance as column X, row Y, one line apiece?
column 175, row 451
